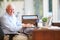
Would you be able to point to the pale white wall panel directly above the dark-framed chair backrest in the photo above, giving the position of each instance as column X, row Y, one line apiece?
column 29, row 7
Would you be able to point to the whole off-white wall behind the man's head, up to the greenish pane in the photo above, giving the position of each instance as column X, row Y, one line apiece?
column 20, row 5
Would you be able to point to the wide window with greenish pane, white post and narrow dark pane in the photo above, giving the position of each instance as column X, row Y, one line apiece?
column 43, row 8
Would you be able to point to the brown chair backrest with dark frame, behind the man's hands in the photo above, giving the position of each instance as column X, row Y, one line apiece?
column 30, row 19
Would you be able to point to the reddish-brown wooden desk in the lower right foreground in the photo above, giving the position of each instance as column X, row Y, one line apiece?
column 46, row 34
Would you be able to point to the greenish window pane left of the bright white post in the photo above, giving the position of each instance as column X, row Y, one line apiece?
column 38, row 7
